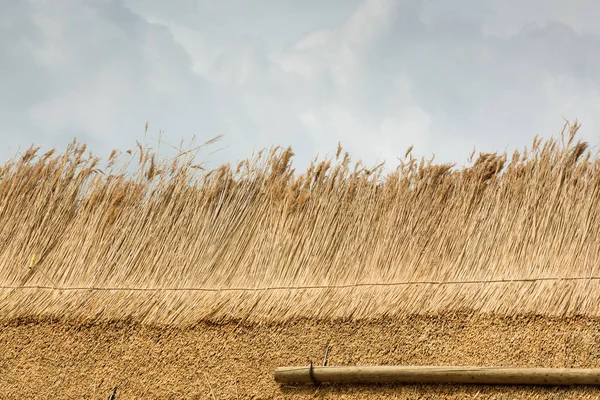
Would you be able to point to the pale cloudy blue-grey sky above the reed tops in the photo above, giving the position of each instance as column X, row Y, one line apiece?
column 375, row 75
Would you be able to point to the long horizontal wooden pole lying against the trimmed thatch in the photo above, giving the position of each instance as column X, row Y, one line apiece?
column 399, row 374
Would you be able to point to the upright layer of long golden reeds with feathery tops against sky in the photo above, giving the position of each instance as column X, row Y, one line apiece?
column 171, row 242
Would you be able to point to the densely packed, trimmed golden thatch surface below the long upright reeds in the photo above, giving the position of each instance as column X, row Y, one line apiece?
column 59, row 360
